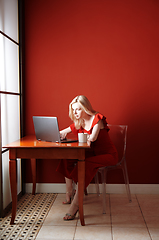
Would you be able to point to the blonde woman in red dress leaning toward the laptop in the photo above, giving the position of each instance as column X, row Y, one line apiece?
column 102, row 152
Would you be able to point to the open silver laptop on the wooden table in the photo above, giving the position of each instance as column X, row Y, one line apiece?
column 47, row 129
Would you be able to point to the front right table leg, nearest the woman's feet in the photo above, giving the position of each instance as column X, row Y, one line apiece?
column 81, row 182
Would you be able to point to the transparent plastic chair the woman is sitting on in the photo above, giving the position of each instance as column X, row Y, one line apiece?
column 118, row 135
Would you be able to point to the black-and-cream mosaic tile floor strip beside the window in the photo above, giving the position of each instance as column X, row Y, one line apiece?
column 31, row 213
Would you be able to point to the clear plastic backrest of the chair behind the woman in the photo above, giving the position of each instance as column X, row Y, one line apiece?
column 118, row 135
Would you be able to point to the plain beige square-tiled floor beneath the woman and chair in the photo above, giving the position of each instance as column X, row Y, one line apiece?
column 138, row 220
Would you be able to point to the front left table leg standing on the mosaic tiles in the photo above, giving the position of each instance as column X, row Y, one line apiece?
column 13, row 185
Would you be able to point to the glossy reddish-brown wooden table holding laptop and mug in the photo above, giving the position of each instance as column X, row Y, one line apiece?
column 29, row 148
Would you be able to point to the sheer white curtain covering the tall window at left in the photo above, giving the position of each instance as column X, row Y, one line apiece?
column 9, row 92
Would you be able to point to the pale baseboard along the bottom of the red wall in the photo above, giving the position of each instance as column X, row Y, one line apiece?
column 111, row 188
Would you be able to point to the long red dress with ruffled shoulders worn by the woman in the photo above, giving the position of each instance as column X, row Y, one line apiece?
column 102, row 153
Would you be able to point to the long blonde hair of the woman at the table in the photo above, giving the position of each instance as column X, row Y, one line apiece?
column 85, row 105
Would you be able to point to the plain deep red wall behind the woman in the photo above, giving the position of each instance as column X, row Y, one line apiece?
column 106, row 50
